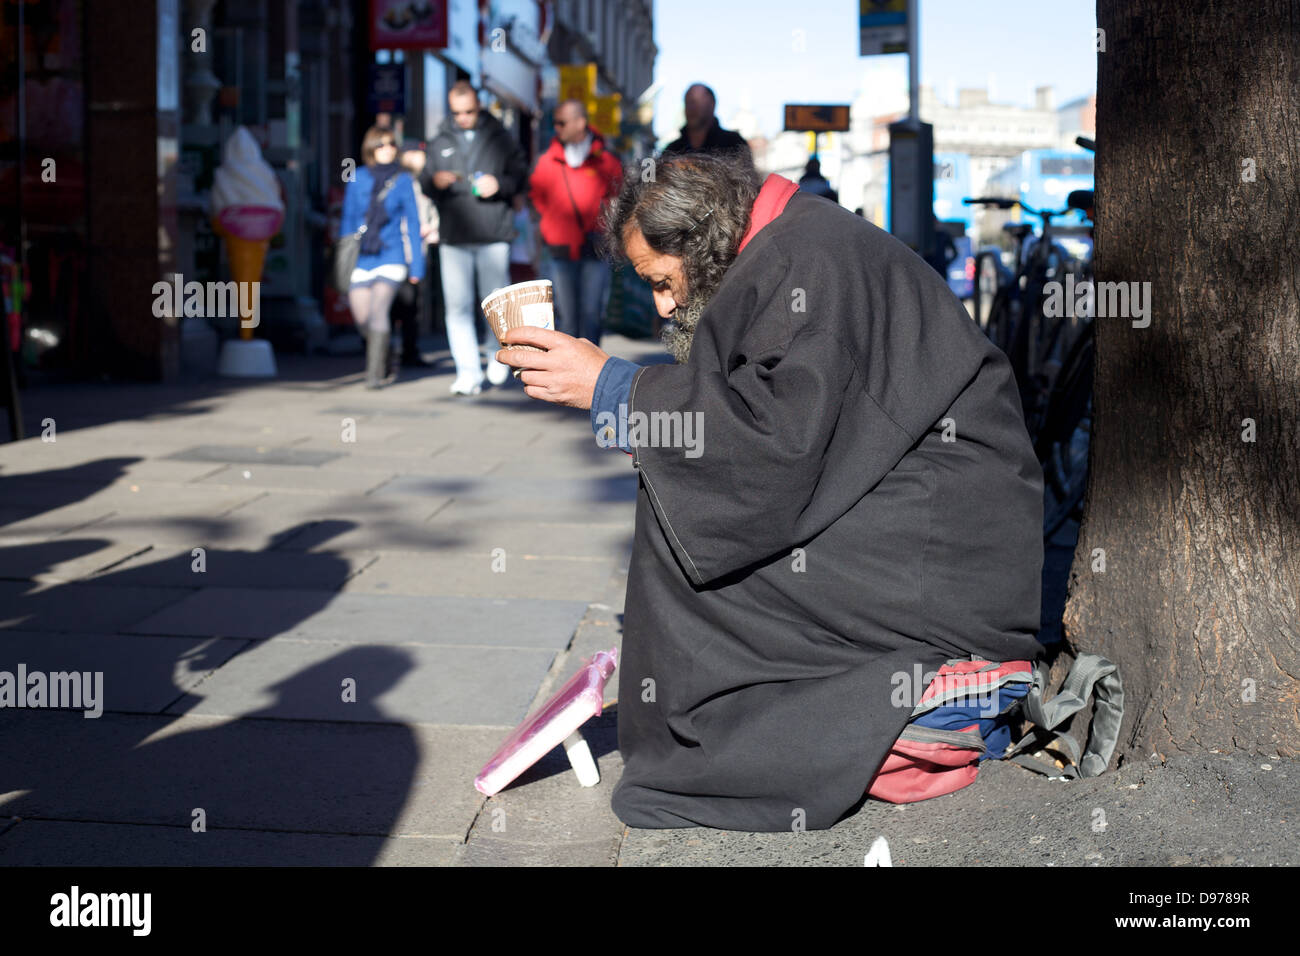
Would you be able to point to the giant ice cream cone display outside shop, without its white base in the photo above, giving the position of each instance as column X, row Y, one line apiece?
column 248, row 211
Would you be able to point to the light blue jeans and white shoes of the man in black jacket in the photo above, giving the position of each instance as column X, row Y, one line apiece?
column 460, row 265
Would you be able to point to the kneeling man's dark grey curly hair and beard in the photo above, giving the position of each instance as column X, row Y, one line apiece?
column 695, row 207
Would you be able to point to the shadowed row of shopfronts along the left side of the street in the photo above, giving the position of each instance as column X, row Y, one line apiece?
column 114, row 118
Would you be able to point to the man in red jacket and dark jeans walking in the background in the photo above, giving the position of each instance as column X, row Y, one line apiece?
column 570, row 184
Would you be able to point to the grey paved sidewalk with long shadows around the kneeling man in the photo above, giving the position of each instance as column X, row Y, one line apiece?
column 453, row 561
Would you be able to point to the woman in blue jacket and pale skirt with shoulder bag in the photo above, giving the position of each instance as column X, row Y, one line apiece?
column 382, row 200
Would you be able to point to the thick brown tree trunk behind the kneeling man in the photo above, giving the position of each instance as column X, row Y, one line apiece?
column 1195, row 473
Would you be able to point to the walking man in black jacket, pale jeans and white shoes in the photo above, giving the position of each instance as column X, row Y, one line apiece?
column 475, row 170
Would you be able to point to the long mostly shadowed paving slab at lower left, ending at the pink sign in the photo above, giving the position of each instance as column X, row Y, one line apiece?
column 292, row 776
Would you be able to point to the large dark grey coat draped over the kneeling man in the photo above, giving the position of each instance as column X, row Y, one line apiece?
column 827, row 539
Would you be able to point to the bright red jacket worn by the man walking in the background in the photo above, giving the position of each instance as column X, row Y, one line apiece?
column 592, row 184
